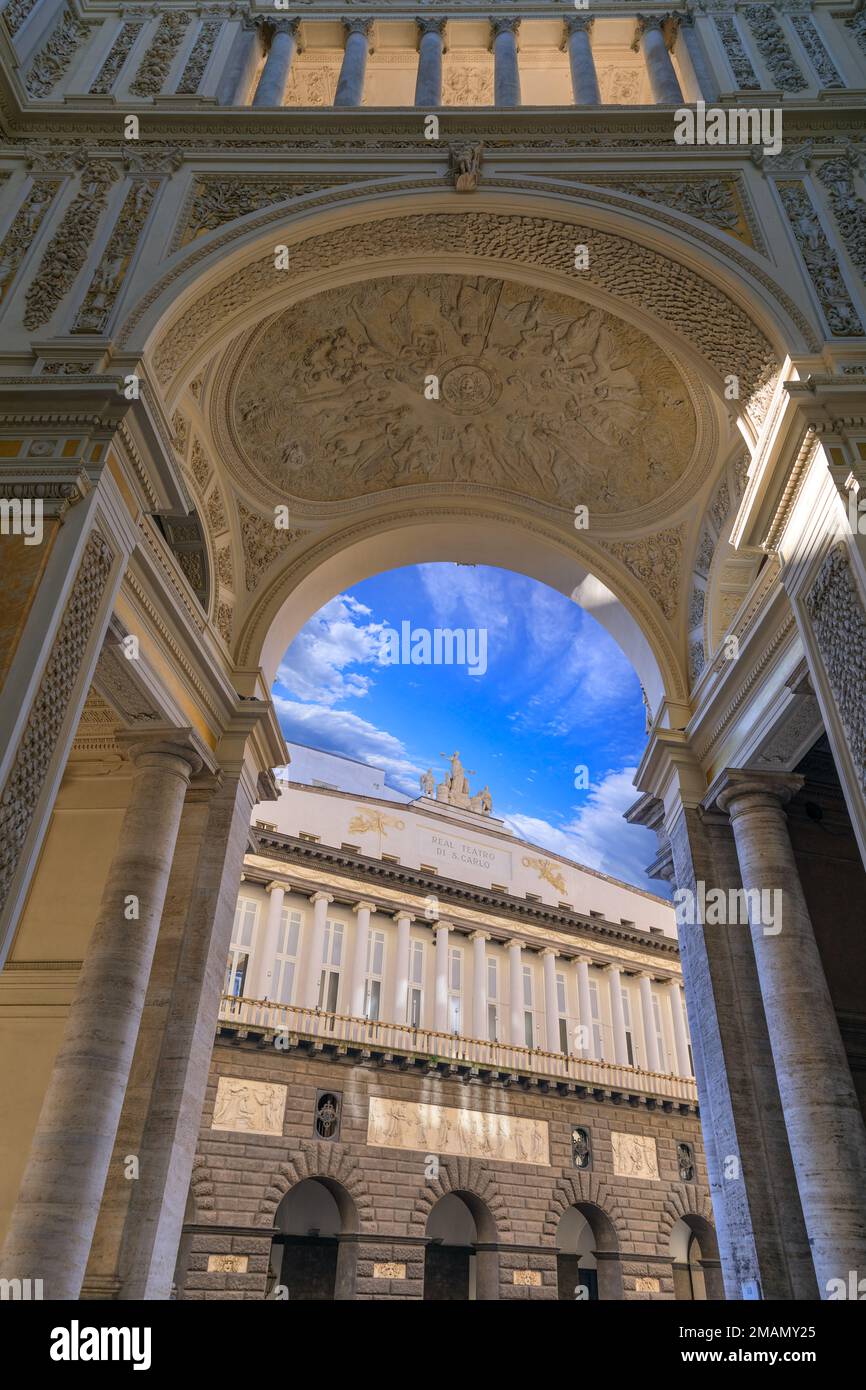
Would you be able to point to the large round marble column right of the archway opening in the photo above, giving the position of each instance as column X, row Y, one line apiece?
column 819, row 1102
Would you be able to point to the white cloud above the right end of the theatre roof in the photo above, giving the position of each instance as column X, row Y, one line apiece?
column 597, row 836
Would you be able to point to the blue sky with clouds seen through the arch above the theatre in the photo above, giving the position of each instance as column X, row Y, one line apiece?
column 557, row 694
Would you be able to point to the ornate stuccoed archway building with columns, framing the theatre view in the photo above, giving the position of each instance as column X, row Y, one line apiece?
column 291, row 298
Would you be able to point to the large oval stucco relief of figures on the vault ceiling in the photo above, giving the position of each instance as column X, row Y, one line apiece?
column 537, row 393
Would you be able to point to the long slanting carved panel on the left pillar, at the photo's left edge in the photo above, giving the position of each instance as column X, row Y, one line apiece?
column 51, row 707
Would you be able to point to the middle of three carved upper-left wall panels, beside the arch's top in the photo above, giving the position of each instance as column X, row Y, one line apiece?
column 70, row 245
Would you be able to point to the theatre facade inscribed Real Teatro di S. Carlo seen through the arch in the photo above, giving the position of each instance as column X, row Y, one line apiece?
column 448, row 1067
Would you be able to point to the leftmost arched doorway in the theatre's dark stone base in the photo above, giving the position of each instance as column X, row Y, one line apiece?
column 311, row 1259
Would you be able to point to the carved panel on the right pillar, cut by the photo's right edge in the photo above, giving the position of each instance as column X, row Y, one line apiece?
column 839, row 622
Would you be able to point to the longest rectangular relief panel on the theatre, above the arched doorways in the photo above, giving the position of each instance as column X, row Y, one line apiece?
column 441, row 1129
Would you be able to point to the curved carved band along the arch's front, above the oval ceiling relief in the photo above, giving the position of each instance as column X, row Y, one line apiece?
column 687, row 304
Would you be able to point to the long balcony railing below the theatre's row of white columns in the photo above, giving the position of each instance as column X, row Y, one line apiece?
column 451, row 1047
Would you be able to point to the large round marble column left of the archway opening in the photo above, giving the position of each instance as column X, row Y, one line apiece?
column 55, row 1218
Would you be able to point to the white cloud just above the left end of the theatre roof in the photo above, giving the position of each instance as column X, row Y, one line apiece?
column 343, row 732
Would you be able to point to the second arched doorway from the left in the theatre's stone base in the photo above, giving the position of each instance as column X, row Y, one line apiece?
column 457, row 1270
